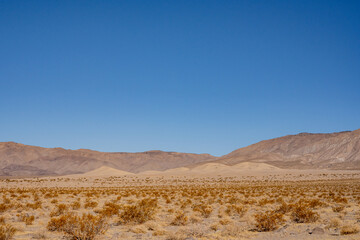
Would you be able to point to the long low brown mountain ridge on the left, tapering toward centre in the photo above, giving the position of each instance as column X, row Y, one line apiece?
column 18, row 159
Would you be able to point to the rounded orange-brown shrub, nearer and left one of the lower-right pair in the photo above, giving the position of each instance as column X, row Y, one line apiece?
column 268, row 221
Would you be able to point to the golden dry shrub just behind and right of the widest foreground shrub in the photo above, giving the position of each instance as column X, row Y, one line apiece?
column 139, row 212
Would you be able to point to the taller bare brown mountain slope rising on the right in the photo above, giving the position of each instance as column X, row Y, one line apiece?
column 303, row 151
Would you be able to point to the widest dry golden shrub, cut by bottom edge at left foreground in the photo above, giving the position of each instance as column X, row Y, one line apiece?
column 86, row 227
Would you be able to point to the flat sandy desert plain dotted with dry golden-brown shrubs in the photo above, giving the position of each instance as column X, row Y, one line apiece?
column 181, row 207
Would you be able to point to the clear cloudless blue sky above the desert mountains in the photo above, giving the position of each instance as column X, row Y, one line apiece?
column 188, row 76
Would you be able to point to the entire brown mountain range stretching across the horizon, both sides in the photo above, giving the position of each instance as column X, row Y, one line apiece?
column 339, row 150
